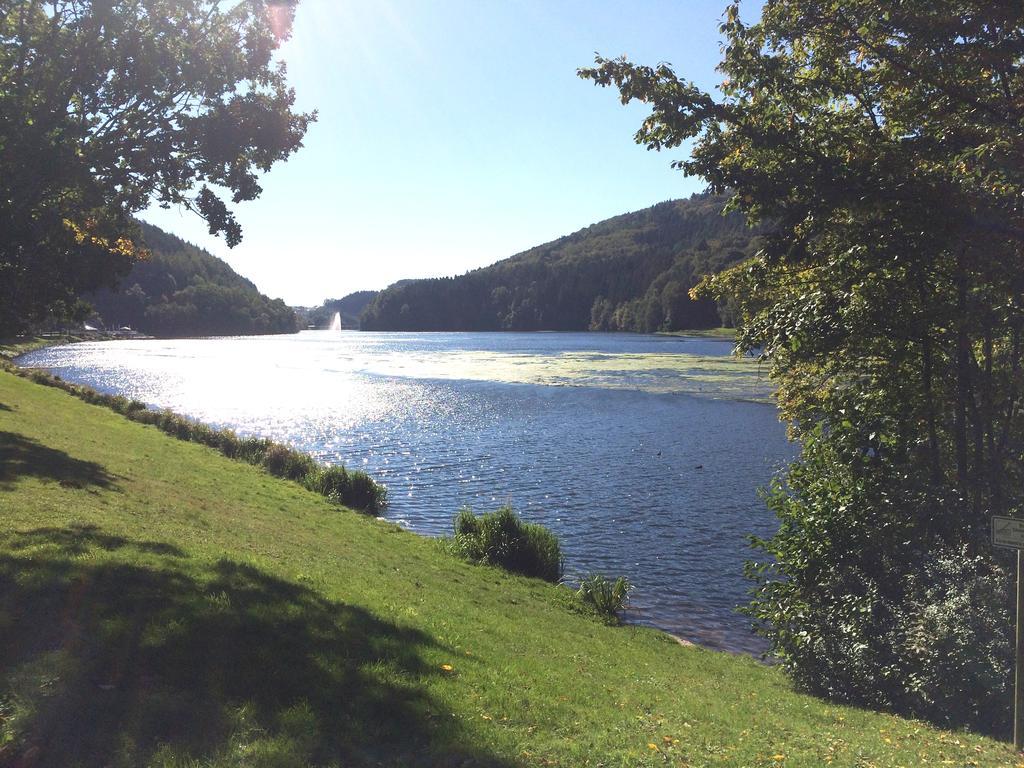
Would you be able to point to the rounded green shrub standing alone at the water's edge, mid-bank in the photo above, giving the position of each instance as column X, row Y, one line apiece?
column 501, row 539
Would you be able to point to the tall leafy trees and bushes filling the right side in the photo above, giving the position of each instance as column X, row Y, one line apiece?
column 885, row 144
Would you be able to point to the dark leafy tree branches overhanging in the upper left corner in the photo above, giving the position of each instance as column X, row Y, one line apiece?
column 110, row 106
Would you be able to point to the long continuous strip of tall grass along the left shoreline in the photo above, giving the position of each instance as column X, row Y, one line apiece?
column 353, row 489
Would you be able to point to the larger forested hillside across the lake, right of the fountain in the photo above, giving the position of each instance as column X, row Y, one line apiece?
column 631, row 273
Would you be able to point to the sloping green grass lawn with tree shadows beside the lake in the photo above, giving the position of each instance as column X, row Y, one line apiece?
column 163, row 606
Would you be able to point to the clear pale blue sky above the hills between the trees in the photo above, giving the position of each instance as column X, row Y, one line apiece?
column 454, row 134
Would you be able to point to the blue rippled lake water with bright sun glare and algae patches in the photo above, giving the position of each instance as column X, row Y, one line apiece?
column 643, row 453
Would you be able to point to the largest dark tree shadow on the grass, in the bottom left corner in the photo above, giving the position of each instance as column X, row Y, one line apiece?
column 113, row 654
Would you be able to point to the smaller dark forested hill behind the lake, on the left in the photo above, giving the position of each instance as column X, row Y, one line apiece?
column 182, row 290
